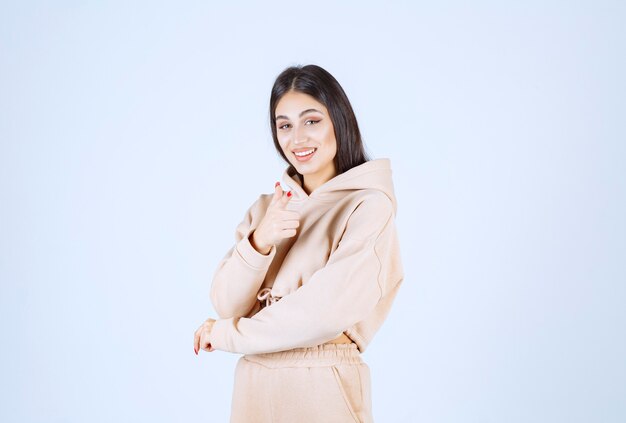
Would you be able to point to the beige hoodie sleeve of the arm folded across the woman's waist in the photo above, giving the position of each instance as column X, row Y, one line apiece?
column 336, row 296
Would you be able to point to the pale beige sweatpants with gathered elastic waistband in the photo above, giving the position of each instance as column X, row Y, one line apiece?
column 329, row 383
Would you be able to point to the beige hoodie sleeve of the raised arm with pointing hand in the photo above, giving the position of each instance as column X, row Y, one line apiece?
column 241, row 272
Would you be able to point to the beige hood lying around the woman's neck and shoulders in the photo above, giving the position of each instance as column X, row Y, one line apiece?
column 373, row 174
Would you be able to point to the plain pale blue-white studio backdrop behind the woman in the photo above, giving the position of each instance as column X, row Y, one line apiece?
column 134, row 137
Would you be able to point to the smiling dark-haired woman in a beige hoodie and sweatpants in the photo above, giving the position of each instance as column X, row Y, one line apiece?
column 314, row 270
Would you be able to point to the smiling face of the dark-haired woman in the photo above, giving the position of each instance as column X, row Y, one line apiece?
column 303, row 124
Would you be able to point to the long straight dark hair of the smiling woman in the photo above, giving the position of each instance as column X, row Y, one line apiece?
column 321, row 85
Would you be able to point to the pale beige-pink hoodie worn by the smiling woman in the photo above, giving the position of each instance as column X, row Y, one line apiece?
column 340, row 273
